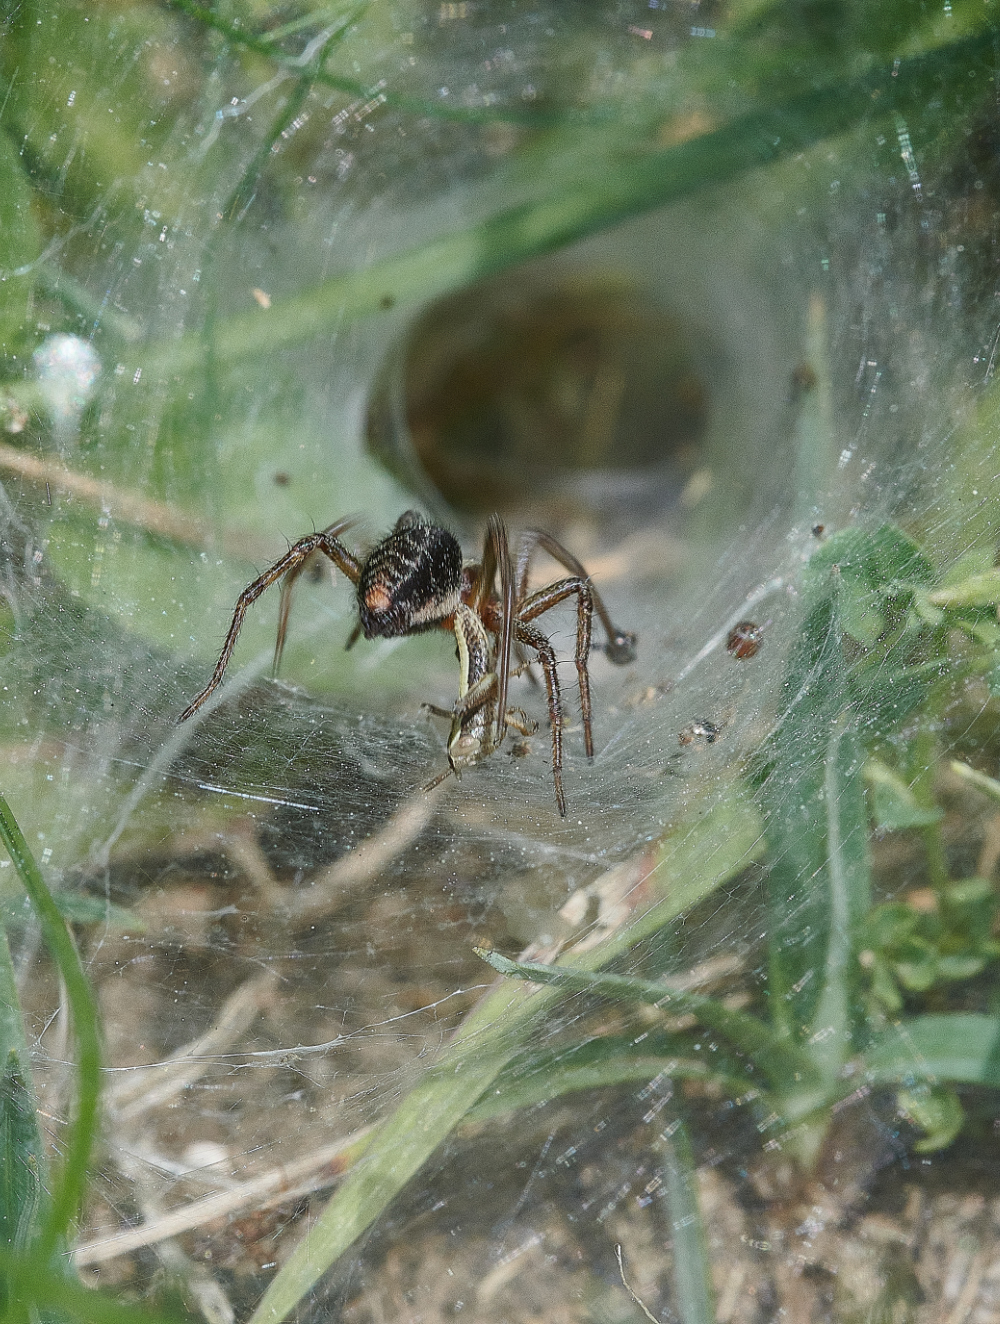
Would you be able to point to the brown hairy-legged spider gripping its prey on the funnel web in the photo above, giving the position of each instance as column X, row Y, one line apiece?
column 415, row 581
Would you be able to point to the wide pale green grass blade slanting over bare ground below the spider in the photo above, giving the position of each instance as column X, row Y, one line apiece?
column 485, row 1044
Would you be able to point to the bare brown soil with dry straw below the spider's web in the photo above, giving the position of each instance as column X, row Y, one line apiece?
column 256, row 1025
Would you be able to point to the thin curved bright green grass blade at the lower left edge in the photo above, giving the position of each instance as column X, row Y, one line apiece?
column 70, row 1187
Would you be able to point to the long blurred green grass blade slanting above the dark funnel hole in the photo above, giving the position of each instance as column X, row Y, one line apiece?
column 613, row 183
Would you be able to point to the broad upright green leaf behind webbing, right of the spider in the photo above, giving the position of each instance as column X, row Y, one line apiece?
column 850, row 680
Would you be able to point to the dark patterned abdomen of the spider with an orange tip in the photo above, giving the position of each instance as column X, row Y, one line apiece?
column 411, row 581
